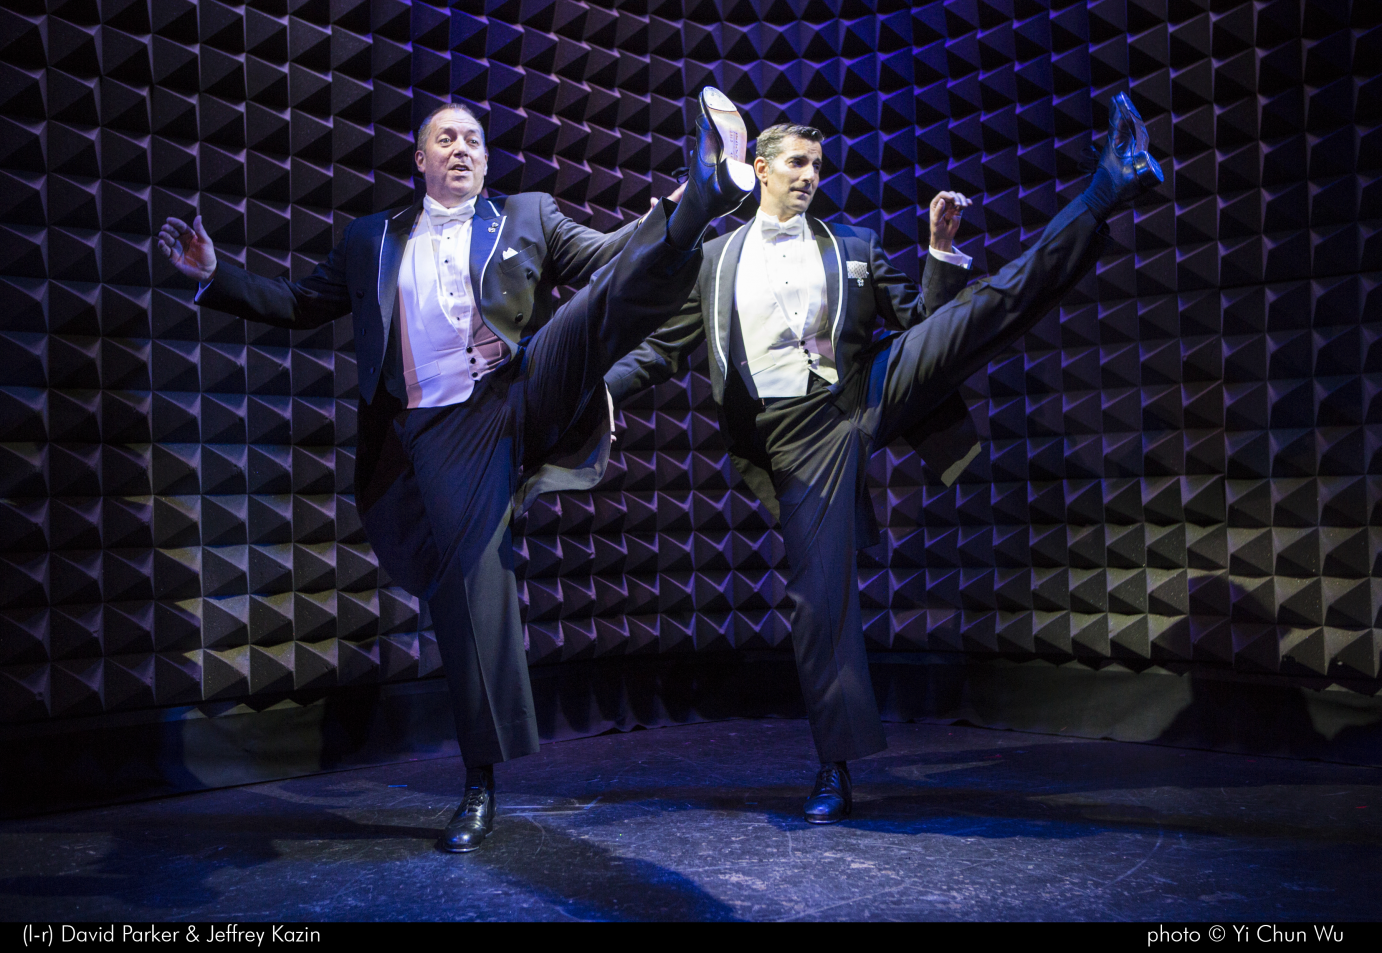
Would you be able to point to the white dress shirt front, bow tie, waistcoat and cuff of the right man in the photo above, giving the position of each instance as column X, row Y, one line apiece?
column 782, row 335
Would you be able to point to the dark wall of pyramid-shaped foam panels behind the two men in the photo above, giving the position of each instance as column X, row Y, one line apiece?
column 1182, row 466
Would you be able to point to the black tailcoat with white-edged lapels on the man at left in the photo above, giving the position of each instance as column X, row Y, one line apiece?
column 360, row 277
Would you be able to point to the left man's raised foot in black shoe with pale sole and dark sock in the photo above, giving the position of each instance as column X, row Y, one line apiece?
column 718, row 179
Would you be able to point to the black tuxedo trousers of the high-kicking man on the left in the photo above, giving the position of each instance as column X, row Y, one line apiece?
column 469, row 459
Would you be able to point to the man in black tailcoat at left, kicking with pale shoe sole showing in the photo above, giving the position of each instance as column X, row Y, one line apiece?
column 473, row 394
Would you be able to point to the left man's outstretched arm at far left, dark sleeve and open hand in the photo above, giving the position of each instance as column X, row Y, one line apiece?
column 316, row 300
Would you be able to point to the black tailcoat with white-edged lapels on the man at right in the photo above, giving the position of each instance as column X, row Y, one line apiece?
column 862, row 313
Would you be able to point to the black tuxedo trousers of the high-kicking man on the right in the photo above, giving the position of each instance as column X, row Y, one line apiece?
column 820, row 445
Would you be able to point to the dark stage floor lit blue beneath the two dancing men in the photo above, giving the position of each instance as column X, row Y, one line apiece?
column 703, row 822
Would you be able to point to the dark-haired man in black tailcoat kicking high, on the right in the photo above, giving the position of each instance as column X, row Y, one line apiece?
column 788, row 306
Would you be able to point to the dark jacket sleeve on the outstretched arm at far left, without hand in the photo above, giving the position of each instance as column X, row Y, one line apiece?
column 299, row 306
